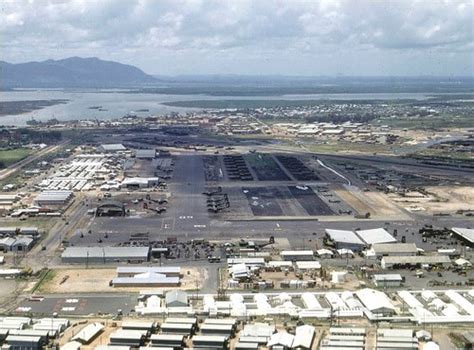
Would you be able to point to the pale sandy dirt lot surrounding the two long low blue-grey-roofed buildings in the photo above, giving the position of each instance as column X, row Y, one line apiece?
column 97, row 280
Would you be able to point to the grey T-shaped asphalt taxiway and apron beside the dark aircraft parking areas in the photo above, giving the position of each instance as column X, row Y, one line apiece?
column 188, row 218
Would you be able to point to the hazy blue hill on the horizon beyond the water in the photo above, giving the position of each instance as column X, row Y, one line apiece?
column 72, row 72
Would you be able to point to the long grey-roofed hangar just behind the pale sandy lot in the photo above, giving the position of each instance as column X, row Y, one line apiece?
column 105, row 255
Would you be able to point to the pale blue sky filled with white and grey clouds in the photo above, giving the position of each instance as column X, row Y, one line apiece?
column 260, row 37
